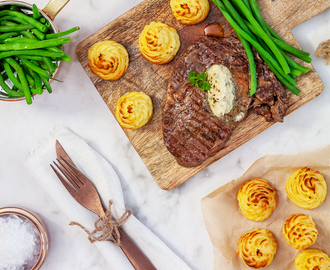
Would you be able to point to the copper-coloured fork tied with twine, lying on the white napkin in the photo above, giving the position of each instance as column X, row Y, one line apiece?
column 85, row 193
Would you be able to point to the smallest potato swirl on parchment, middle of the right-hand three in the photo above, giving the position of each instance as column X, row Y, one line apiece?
column 300, row 231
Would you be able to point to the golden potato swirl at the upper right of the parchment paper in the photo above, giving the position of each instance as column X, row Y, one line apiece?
column 306, row 188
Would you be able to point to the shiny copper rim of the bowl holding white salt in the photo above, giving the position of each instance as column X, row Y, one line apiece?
column 38, row 224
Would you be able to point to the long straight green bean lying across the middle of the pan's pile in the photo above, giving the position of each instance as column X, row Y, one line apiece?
column 33, row 45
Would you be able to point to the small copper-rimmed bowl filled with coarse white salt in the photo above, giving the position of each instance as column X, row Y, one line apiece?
column 24, row 240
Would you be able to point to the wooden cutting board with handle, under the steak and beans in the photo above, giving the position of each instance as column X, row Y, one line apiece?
column 152, row 79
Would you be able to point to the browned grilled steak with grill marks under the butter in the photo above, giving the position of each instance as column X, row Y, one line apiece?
column 191, row 132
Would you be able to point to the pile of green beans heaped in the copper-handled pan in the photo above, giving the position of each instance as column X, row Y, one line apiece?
column 29, row 52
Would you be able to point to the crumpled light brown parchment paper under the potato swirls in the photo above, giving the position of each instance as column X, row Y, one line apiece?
column 226, row 223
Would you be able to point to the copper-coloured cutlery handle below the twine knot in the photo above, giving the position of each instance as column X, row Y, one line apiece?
column 134, row 254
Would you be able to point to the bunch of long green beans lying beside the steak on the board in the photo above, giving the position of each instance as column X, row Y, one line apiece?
column 245, row 18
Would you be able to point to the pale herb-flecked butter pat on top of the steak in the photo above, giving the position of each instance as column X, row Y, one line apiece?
column 221, row 96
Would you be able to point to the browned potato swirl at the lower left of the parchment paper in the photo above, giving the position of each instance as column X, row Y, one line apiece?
column 257, row 248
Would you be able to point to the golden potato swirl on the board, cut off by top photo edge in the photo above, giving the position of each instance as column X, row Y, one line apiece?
column 190, row 11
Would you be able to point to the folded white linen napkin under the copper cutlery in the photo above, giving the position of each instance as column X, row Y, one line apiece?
column 105, row 179
